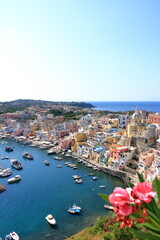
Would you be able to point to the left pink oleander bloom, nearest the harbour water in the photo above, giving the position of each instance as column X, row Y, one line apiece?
column 119, row 197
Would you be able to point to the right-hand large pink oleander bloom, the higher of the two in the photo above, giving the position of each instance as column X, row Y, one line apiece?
column 143, row 191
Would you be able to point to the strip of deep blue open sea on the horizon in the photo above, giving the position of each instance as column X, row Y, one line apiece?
column 127, row 106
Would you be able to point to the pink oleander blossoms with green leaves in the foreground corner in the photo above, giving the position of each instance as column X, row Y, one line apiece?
column 136, row 207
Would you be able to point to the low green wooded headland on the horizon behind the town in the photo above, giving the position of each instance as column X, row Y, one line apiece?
column 22, row 104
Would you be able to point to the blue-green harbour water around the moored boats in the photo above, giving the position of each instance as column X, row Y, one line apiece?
column 48, row 189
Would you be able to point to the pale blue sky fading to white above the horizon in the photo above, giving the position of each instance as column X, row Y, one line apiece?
column 80, row 50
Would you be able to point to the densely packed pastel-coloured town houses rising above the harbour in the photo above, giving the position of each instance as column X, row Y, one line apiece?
column 110, row 140
